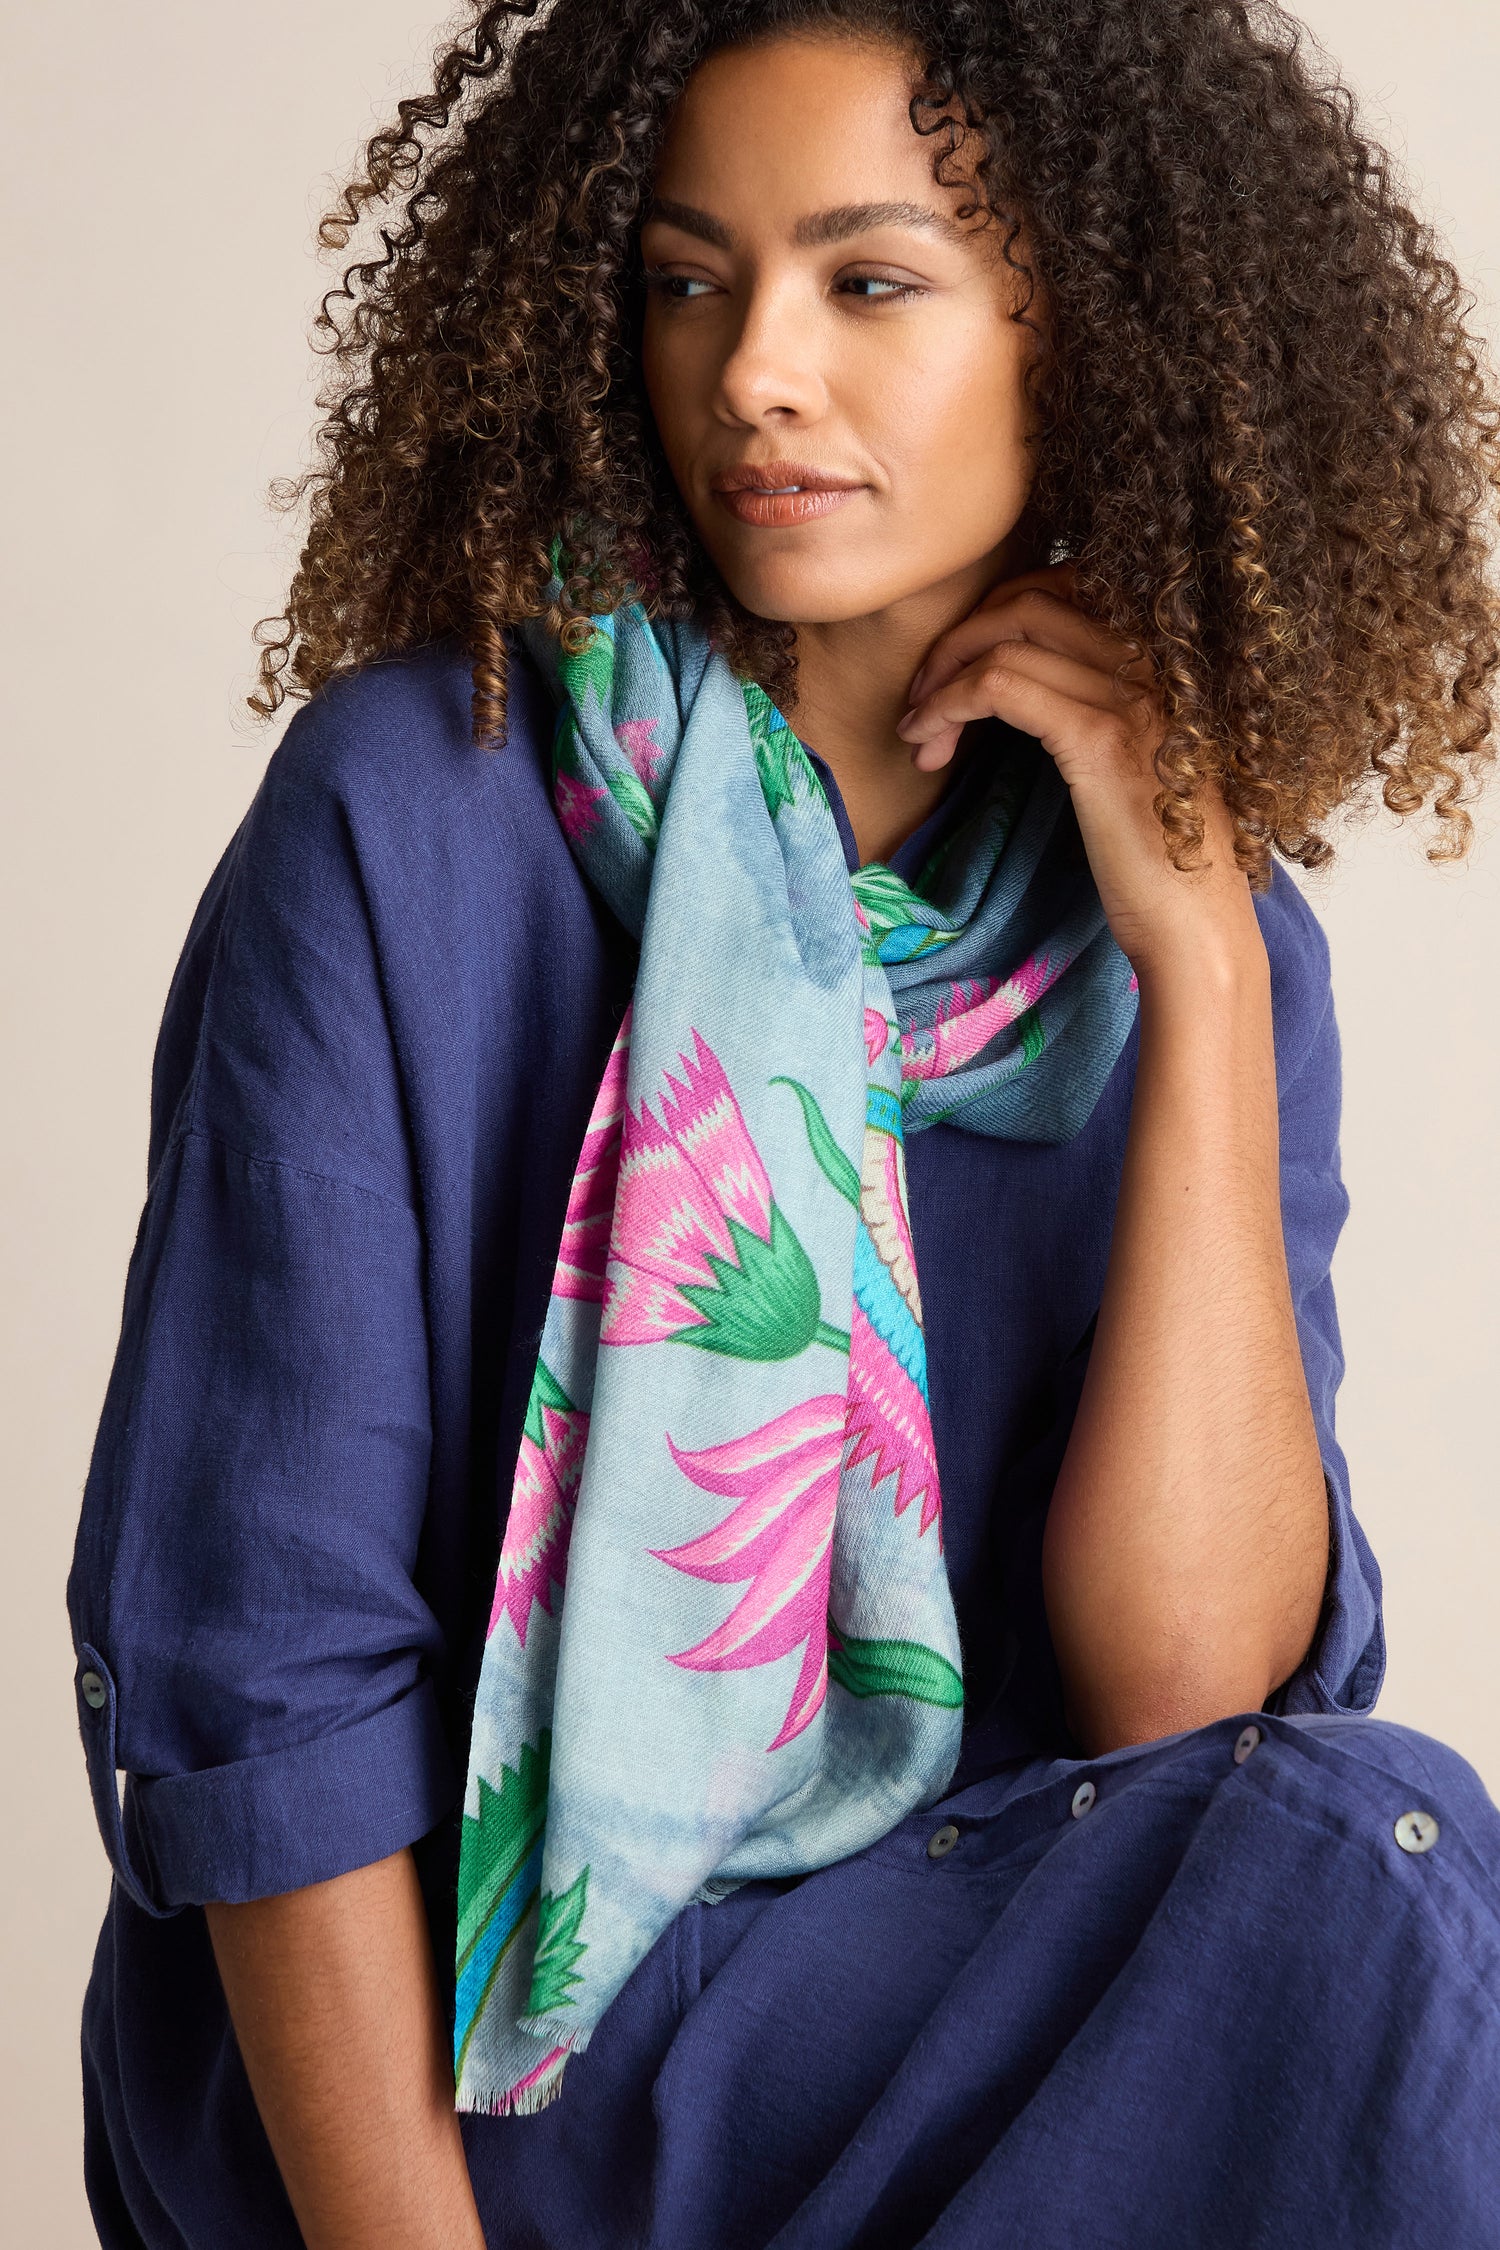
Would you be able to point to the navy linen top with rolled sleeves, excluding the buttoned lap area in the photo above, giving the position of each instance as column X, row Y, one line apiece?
column 372, row 1088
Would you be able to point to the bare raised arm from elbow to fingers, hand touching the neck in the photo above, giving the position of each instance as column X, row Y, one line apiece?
column 1186, row 1542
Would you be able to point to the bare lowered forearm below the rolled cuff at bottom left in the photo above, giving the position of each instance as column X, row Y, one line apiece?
column 336, row 2010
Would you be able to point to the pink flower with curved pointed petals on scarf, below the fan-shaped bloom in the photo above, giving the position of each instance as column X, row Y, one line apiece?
column 786, row 1479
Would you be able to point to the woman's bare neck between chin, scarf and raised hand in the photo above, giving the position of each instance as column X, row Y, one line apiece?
column 853, row 683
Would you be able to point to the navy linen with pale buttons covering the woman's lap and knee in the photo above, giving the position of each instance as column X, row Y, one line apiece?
column 1220, row 2006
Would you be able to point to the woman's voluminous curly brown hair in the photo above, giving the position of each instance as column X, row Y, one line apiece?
column 1267, row 431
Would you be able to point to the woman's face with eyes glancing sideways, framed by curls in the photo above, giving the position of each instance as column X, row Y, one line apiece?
column 829, row 350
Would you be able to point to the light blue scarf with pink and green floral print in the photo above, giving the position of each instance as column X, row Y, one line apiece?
column 723, row 1641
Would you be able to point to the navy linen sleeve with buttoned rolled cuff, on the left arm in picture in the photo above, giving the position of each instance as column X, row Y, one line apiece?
column 253, row 1648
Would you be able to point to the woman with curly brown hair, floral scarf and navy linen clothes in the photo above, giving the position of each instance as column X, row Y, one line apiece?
column 1027, row 469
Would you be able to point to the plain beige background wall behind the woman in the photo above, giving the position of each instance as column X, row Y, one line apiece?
column 163, row 172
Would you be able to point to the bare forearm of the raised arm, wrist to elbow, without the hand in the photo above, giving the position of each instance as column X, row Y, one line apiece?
column 1186, row 1542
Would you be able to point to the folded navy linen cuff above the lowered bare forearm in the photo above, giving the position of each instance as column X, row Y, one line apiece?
column 296, row 1817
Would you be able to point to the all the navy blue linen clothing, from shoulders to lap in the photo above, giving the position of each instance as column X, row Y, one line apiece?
column 1222, row 2006
